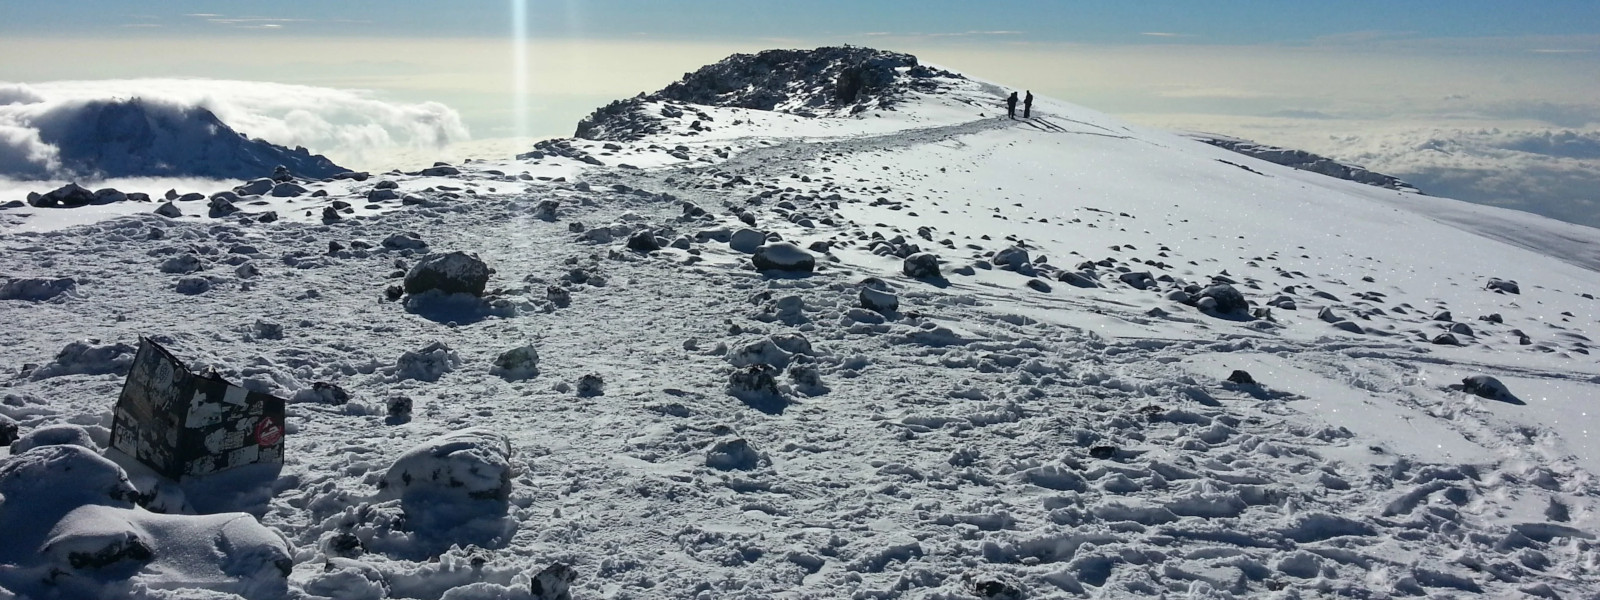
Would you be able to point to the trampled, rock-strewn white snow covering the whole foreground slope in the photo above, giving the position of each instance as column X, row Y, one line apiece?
column 1055, row 428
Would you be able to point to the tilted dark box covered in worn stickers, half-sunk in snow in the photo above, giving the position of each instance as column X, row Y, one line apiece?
column 180, row 423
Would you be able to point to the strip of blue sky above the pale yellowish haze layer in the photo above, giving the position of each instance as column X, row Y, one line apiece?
column 1106, row 22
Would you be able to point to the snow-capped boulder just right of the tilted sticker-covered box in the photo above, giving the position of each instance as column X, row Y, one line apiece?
column 465, row 466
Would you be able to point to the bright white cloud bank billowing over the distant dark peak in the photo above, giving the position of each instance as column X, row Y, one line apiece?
column 351, row 127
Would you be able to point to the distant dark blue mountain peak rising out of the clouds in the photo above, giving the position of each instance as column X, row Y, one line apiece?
column 140, row 138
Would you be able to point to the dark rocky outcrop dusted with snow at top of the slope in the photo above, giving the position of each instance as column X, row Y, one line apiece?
column 823, row 82
